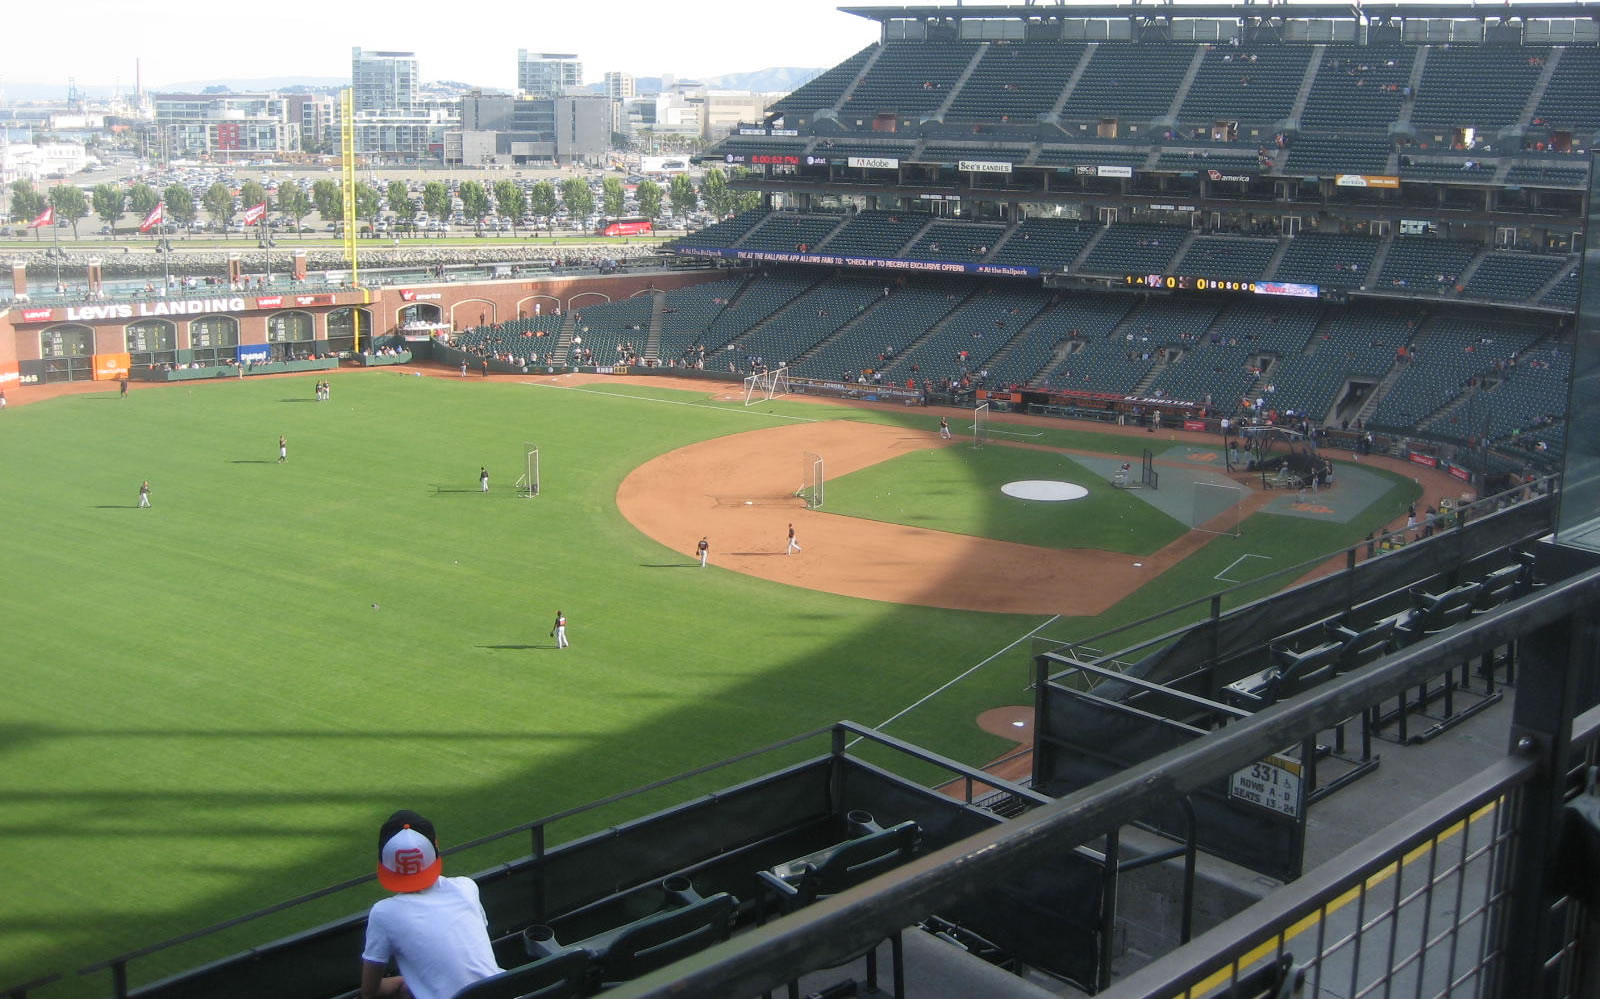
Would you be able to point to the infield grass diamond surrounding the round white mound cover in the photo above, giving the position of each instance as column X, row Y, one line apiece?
column 958, row 489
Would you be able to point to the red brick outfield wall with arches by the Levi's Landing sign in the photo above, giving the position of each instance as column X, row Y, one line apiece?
column 465, row 305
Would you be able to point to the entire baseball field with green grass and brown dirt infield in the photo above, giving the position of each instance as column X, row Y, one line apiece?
column 214, row 702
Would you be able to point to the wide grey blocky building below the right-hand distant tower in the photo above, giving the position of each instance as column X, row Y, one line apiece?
column 498, row 130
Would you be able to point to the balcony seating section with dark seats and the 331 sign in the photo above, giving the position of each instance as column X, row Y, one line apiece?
column 1098, row 713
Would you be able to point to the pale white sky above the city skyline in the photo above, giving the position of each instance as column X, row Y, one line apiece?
column 183, row 41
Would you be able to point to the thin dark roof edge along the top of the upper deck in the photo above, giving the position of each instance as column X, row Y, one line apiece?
column 1369, row 12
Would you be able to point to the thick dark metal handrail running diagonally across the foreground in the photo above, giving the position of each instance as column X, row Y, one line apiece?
column 831, row 931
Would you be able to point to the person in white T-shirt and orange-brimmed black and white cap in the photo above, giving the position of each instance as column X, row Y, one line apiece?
column 434, row 928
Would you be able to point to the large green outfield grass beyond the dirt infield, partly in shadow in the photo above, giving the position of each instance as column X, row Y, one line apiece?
column 212, row 704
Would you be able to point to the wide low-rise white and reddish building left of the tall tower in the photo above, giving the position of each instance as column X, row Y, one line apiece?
column 226, row 126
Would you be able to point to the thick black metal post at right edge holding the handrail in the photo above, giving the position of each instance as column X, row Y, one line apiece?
column 1553, row 660
